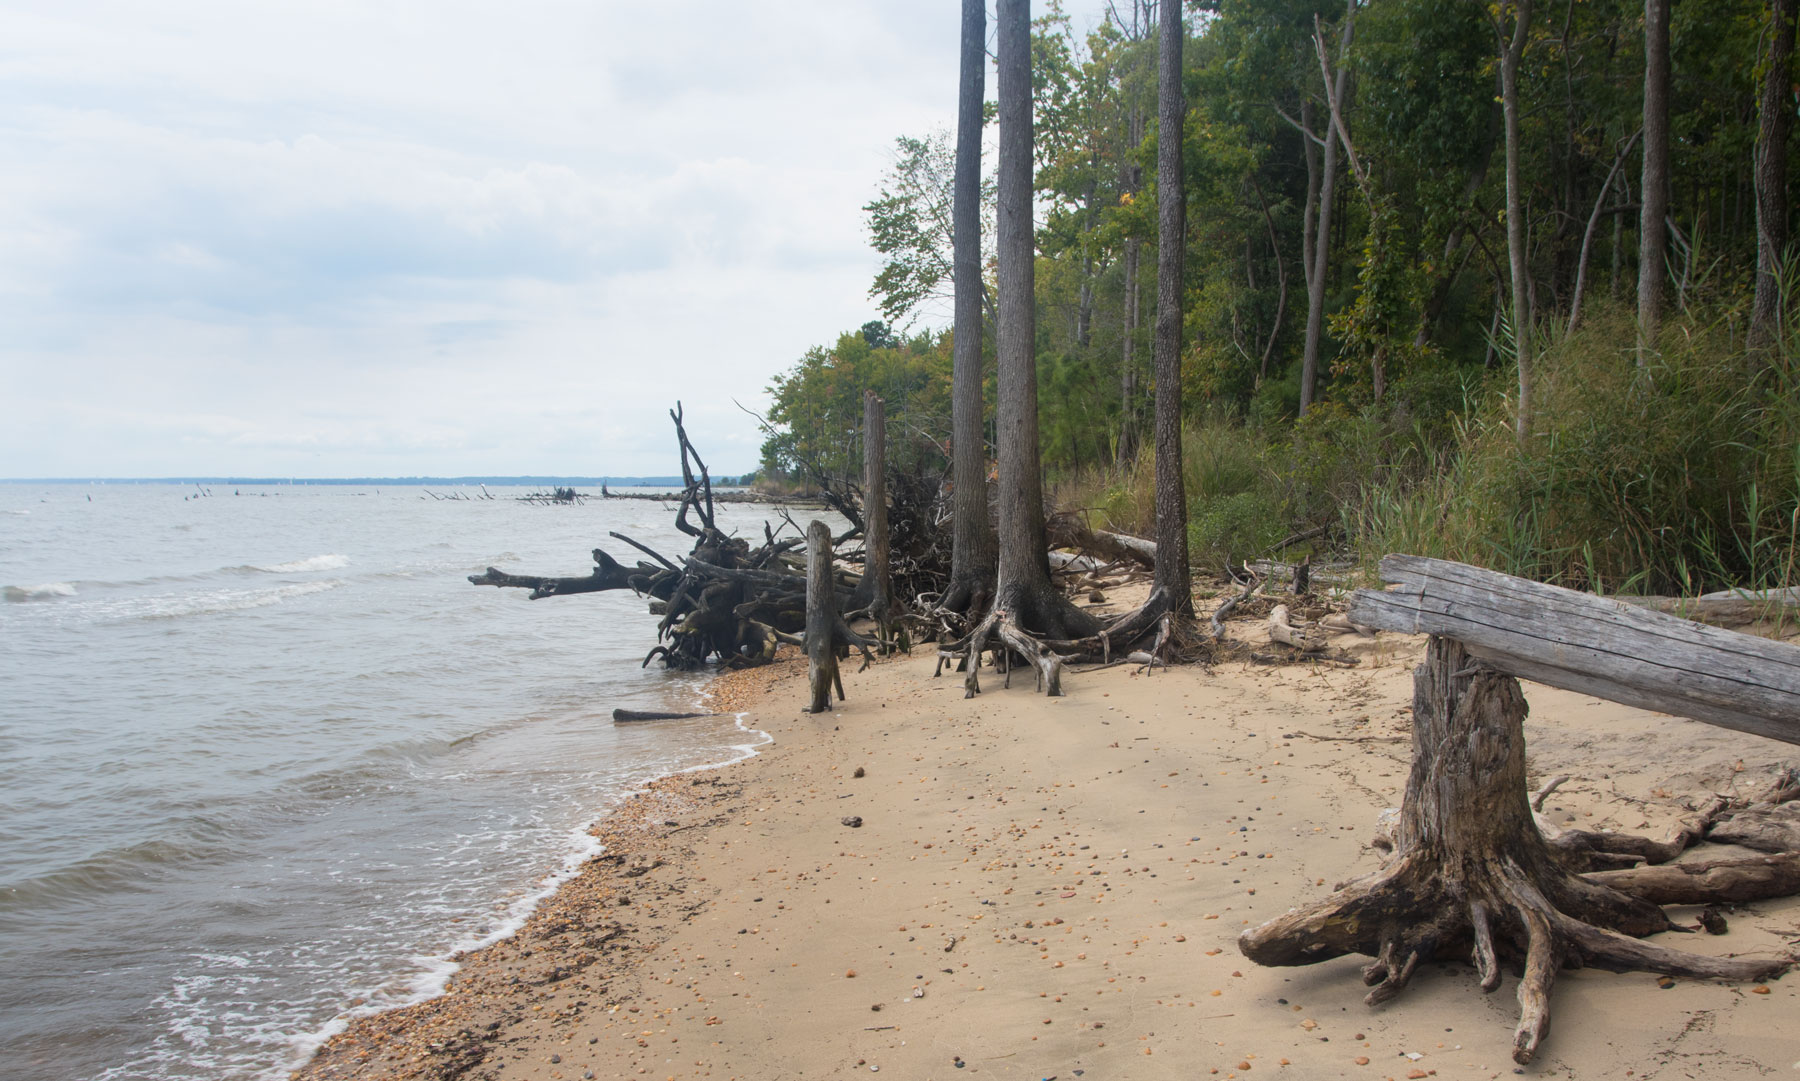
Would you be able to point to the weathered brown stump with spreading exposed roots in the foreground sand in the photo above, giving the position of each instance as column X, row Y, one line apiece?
column 1473, row 877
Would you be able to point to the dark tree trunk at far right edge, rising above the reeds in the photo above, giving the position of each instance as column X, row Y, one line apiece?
column 1772, row 179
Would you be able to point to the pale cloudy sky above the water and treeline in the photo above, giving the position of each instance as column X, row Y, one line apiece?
column 384, row 238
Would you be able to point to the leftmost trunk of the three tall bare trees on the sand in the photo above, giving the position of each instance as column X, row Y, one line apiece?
column 973, row 539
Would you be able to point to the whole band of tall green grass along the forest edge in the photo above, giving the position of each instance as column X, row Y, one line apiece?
column 1678, row 476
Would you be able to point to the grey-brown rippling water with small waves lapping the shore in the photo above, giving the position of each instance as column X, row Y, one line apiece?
column 267, row 758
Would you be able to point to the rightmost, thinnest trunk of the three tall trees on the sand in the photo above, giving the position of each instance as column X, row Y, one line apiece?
column 1173, row 573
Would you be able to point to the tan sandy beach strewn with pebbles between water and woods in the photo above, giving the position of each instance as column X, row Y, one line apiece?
column 1014, row 886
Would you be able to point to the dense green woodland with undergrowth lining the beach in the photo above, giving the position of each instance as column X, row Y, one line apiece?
column 1520, row 299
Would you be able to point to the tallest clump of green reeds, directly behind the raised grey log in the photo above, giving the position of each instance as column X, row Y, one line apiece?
column 1678, row 478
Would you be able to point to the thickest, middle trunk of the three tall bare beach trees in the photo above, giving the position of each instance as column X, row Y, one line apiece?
column 1023, row 591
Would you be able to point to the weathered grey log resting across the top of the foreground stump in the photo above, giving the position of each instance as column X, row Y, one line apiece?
column 1592, row 645
